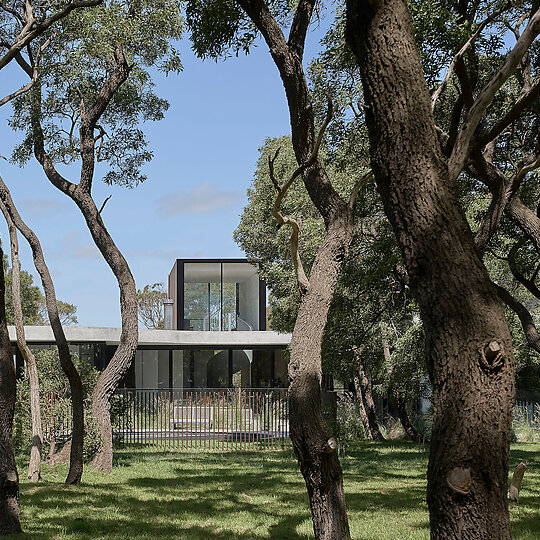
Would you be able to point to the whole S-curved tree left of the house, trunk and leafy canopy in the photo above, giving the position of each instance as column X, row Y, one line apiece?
column 92, row 92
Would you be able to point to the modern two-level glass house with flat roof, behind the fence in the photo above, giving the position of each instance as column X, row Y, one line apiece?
column 215, row 334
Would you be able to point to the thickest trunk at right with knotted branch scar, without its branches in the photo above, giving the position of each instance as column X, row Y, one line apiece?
column 469, row 348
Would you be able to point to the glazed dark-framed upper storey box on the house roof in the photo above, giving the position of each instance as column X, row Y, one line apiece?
column 217, row 295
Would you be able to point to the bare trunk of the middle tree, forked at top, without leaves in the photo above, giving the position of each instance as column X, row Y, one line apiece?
column 318, row 461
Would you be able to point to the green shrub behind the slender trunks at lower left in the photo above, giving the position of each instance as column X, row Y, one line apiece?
column 55, row 403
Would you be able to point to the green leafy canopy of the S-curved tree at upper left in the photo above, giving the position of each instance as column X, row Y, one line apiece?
column 77, row 64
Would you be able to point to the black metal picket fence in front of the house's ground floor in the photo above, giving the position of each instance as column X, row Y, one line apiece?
column 214, row 419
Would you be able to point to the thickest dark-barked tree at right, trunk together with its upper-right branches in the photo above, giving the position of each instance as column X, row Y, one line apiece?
column 416, row 165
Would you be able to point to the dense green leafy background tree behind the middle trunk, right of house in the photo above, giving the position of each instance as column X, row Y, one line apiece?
column 352, row 347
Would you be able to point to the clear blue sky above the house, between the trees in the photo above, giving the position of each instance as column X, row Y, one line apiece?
column 205, row 152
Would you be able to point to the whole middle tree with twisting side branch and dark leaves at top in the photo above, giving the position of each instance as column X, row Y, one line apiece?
column 218, row 27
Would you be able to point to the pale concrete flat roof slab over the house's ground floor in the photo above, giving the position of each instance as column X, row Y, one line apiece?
column 158, row 338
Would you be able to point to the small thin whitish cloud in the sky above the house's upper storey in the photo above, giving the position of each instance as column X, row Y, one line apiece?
column 202, row 199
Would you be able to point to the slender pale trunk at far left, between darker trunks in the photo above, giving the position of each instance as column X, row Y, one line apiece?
column 34, row 467
